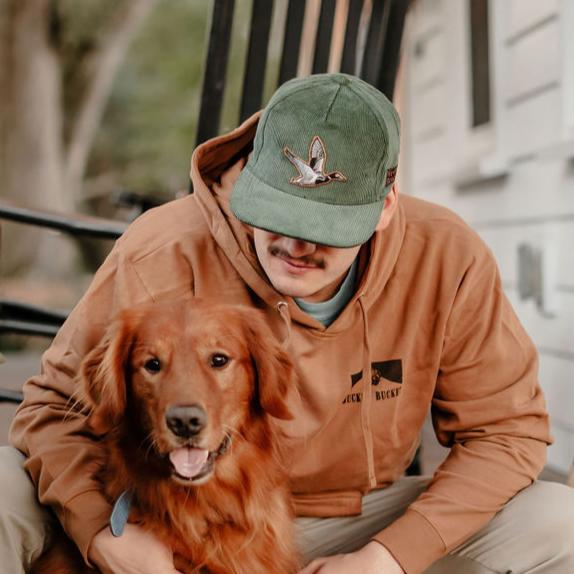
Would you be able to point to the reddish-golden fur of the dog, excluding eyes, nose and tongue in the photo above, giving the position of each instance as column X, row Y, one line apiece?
column 239, row 519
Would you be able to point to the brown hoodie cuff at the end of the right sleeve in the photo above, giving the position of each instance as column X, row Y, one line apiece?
column 413, row 542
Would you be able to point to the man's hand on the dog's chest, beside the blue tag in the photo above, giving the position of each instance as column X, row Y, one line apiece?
column 134, row 552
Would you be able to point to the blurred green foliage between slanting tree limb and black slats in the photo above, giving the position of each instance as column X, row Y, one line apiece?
column 148, row 130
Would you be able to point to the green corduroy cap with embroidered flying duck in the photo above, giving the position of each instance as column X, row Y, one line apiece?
column 324, row 157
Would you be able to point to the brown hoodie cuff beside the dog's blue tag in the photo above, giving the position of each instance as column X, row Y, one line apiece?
column 85, row 515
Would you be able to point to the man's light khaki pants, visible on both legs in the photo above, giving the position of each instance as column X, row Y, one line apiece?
column 534, row 532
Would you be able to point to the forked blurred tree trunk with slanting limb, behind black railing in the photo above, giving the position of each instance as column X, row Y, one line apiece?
column 36, row 168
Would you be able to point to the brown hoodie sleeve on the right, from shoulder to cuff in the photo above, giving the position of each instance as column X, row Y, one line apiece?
column 488, row 408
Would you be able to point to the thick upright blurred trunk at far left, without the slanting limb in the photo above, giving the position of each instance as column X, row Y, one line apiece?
column 32, row 156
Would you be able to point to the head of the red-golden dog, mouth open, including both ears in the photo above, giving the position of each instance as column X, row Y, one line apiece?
column 184, row 378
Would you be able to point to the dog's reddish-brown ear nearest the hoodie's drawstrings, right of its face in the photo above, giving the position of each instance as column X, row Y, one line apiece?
column 276, row 376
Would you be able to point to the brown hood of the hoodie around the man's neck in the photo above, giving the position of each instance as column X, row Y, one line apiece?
column 215, row 166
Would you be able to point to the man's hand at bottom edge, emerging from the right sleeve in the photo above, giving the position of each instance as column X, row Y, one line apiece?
column 373, row 558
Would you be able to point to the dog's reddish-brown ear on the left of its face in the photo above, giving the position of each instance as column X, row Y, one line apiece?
column 103, row 374
